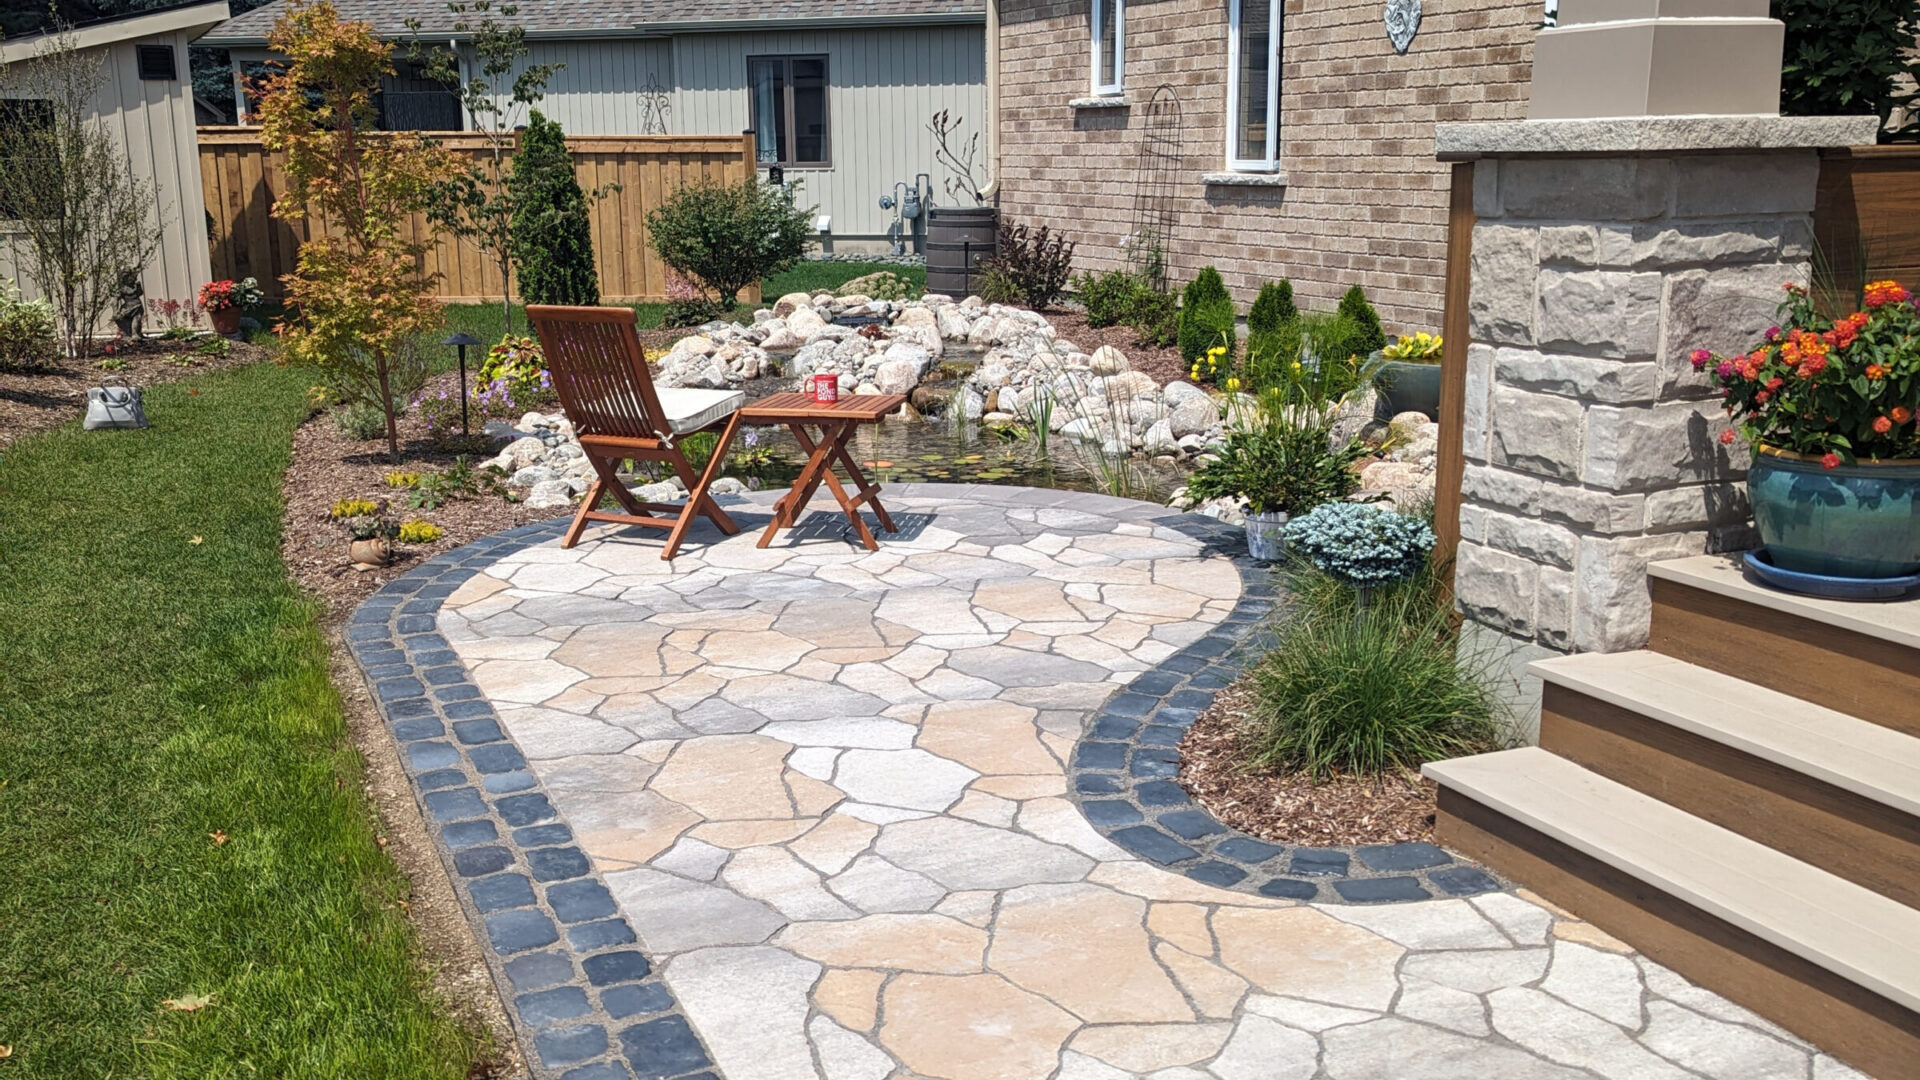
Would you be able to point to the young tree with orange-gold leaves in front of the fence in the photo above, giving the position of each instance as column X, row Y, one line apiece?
column 358, row 293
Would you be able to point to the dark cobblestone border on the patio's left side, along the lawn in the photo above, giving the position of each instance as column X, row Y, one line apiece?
column 585, row 1000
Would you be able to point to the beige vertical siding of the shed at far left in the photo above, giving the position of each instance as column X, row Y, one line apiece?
column 155, row 122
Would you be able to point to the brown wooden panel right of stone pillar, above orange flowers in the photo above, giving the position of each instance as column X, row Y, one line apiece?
column 1867, row 216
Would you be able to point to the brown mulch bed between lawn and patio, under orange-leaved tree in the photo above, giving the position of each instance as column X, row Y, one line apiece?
column 329, row 468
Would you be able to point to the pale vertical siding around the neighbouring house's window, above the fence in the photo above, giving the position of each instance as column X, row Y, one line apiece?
column 882, row 87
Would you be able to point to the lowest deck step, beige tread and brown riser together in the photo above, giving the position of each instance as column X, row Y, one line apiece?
column 1810, row 950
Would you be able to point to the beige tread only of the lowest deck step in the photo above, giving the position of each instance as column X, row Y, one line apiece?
column 1821, row 918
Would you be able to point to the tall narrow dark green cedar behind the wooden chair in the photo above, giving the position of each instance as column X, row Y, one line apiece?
column 552, row 237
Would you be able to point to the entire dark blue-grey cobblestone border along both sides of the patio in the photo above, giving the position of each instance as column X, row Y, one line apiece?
column 583, row 996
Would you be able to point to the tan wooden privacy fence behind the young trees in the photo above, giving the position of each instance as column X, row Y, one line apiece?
column 243, row 180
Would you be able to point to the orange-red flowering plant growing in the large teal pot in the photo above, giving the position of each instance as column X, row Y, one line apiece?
column 1838, row 391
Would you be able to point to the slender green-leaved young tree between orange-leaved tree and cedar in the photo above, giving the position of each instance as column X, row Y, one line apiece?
column 477, row 205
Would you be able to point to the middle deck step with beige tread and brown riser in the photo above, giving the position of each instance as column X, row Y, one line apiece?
column 1815, row 783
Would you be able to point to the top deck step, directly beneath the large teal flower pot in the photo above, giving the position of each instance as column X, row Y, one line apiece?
column 1858, row 658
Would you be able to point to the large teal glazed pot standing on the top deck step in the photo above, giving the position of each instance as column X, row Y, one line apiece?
column 1854, row 522
